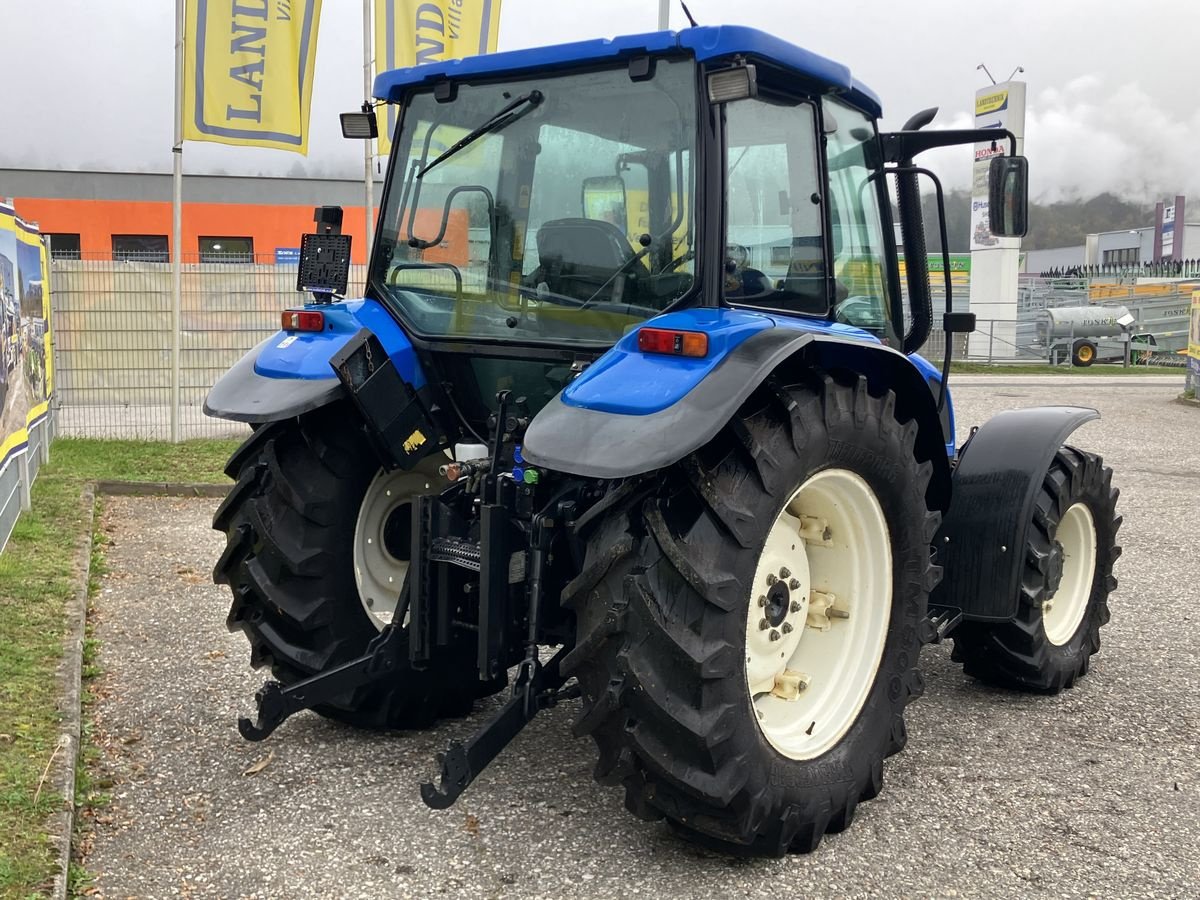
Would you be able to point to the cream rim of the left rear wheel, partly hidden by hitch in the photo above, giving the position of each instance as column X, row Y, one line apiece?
column 379, row 573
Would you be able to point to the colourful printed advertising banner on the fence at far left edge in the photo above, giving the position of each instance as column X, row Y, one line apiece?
column 26, row 365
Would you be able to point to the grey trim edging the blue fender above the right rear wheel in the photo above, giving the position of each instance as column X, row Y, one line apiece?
column 595, row 445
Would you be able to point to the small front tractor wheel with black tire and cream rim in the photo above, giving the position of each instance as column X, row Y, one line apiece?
column 1066, row 584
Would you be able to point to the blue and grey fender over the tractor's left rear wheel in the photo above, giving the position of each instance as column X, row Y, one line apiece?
column 290, row 374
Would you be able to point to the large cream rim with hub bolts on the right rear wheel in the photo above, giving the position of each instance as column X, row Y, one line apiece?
column 809, row 682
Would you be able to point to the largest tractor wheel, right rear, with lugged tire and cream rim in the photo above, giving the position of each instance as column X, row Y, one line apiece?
column 670, row 653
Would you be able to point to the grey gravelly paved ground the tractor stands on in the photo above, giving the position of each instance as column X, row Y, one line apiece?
column 1094, row 793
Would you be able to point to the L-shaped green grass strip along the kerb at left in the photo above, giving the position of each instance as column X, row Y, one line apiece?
column 38, row 575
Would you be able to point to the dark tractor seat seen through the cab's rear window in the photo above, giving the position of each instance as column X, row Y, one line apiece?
column 578, row 256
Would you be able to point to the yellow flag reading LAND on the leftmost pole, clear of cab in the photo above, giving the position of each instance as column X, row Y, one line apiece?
column 248, row 73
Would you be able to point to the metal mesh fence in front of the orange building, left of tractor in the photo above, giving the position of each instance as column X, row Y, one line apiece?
column 113, row 341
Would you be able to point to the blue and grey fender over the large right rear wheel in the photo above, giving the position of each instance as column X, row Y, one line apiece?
column 635, row 413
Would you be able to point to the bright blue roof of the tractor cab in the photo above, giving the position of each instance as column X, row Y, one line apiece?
column 705, row 44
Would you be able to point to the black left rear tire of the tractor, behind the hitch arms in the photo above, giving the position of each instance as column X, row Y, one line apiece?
column 291, row 524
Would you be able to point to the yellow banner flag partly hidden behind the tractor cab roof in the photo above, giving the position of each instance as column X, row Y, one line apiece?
column 410, row 33
